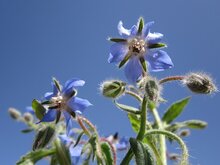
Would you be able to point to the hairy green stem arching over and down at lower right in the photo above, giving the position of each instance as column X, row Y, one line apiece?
column 185, row 154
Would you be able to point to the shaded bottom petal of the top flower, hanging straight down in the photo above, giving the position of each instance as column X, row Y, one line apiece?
column 133, row 70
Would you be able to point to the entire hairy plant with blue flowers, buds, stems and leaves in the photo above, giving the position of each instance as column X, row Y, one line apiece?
column 62, row 142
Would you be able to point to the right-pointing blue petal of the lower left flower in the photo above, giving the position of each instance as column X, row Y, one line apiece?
column 78, row 104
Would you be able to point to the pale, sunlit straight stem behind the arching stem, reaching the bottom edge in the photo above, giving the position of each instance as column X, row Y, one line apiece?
column 162, row 140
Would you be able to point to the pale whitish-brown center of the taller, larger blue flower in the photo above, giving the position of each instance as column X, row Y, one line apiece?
column 137, row 46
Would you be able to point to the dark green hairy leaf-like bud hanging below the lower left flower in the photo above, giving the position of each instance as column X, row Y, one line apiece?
column 43, row 137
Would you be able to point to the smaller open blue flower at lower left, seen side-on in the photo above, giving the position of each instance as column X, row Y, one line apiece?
column 64, row 101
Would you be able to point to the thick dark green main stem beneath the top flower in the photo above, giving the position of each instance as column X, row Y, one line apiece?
column 141, row 132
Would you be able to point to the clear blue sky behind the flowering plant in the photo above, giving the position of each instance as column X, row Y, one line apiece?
column 45, row 38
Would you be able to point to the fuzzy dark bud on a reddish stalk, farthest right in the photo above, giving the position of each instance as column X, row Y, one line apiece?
column 199, row 83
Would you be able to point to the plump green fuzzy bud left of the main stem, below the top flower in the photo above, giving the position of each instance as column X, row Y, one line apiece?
column 113, row 88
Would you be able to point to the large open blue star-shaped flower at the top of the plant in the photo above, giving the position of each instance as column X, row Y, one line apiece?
column 138, row 47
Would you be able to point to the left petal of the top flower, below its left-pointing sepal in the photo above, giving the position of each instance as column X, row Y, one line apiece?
column 117, row 52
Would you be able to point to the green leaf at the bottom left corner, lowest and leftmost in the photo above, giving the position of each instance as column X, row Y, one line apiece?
column 32, row 157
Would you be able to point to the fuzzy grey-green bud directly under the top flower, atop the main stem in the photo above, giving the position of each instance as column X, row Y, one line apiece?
column 151, row 88
